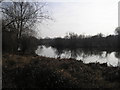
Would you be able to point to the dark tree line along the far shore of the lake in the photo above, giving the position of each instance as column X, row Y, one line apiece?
column 98, row 41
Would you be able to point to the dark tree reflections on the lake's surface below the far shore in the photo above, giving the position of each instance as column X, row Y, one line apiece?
column 74, row 53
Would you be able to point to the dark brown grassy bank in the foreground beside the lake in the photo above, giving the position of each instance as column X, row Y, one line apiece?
column 42, row 72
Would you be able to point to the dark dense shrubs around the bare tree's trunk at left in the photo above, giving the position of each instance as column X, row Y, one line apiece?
column 10, row 43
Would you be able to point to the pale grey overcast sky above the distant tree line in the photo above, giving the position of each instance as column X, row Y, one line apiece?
column 87, row 17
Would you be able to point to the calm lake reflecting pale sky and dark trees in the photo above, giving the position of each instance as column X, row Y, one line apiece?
column 87, row 56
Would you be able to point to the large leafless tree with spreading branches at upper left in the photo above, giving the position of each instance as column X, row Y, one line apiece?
column 20, row 17
